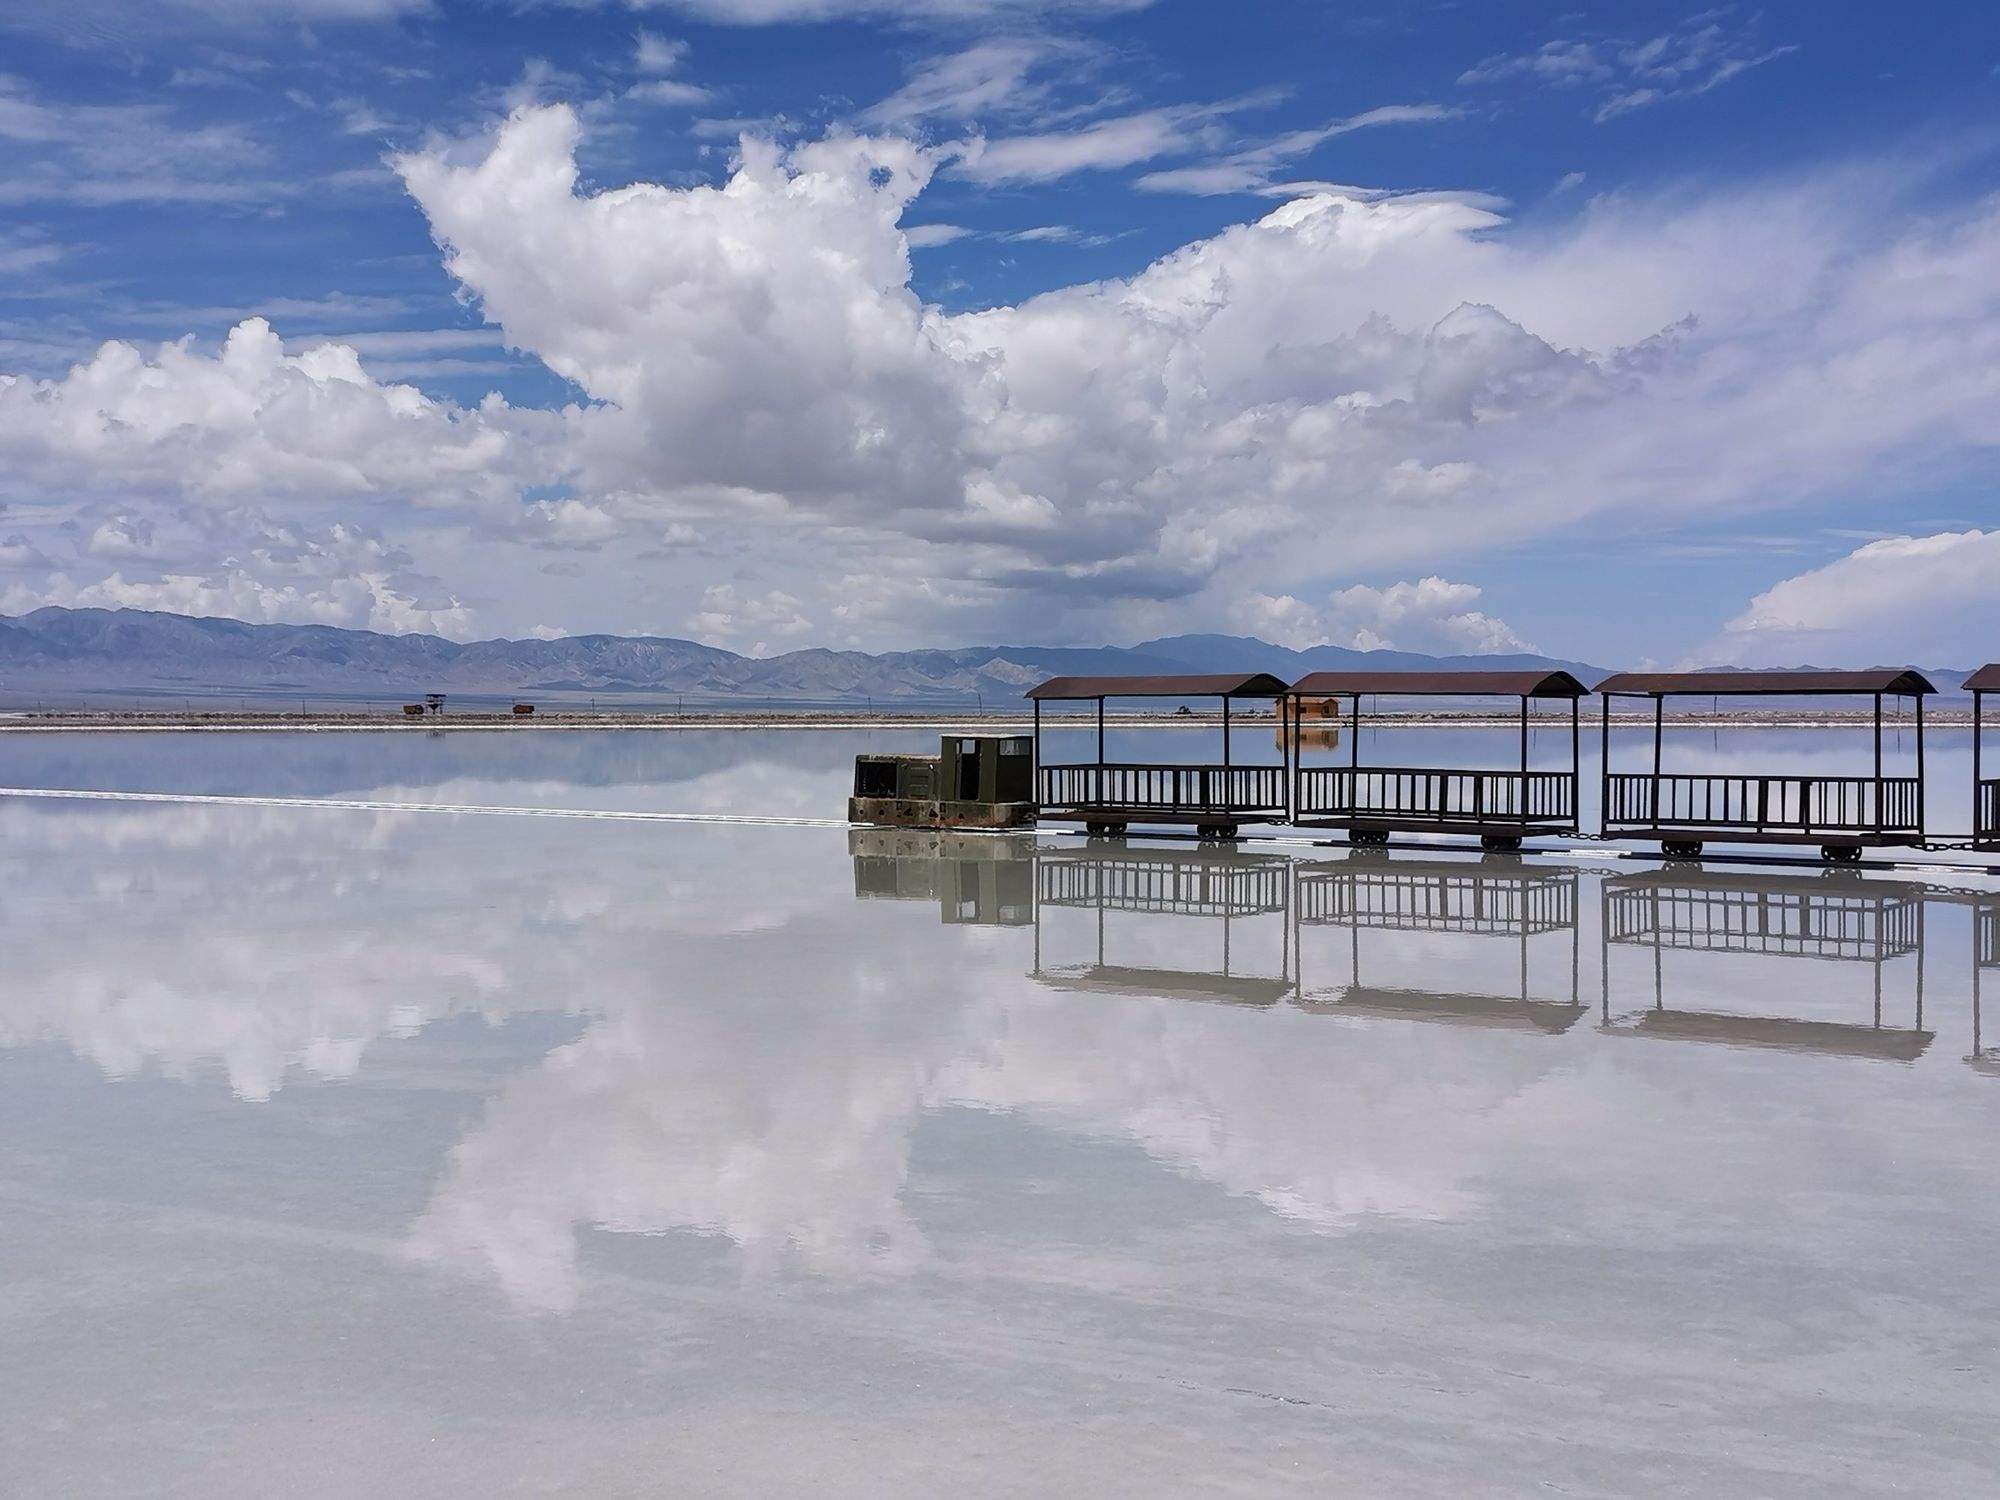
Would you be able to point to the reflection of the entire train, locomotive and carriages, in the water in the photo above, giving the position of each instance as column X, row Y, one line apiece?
column 1465, row 941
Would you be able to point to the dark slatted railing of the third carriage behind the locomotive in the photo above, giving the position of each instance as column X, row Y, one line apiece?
column 1775, row 805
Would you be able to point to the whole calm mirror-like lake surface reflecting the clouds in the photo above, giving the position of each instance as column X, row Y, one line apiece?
column 355, row 1153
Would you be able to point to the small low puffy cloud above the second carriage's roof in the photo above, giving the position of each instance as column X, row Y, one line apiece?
column 1431, row 615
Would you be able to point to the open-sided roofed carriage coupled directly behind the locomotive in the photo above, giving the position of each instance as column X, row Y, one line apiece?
column 1105, row 795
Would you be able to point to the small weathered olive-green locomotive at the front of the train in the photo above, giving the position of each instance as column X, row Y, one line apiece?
column 975, row 781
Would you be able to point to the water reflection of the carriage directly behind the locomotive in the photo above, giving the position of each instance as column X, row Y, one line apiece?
column 1219, row 887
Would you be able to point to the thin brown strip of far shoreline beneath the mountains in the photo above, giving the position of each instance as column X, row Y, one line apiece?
column 937, row 723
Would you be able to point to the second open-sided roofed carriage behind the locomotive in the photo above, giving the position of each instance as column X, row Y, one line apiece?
column 1499, row 807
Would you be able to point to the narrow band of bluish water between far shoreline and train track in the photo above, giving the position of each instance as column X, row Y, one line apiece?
column 809, row 773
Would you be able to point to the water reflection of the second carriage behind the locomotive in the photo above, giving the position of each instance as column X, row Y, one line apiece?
column 1459, row 899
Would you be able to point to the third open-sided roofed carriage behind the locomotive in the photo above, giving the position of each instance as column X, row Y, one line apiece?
column 1843, row 815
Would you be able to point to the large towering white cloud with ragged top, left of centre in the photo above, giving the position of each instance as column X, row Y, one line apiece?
column 795, row 367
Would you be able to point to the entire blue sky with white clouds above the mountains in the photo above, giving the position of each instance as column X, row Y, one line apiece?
column 1641, row 333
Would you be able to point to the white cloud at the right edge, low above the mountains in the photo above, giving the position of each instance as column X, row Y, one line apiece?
column 1927, row 601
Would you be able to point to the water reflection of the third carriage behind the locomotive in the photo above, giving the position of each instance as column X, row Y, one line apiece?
column 1835, row 919
